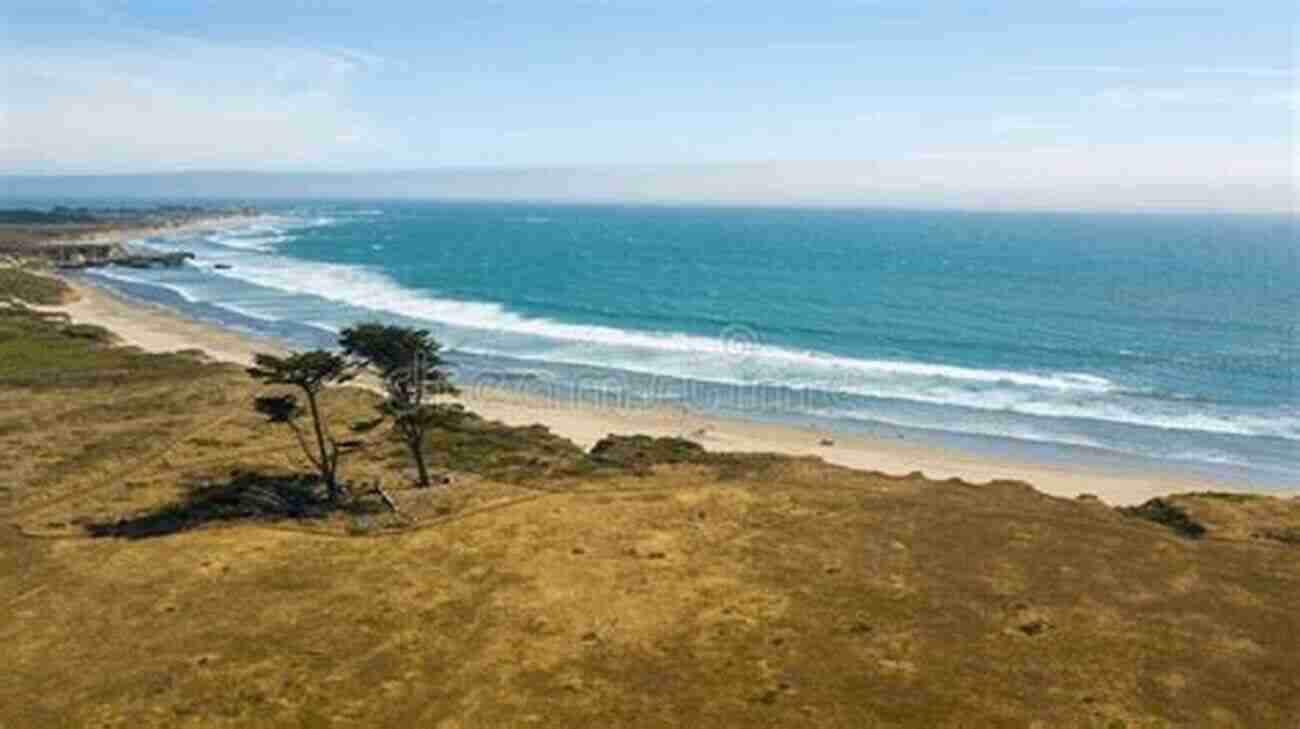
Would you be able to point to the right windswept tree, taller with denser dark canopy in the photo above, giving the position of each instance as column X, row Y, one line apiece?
column 409, row 364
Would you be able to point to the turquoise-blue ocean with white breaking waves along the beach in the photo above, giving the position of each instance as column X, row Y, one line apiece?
column 1160, row 344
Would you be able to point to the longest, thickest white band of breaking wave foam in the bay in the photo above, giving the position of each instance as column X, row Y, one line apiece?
column 492, row 329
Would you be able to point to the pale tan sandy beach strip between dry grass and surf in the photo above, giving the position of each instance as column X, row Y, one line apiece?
column 158, row 329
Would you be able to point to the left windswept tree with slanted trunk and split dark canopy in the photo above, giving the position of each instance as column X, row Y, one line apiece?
column 309, row 372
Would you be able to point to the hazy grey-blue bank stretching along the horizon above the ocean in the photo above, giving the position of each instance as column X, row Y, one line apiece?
column 916, row 184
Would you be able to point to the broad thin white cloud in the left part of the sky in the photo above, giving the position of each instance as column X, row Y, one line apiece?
column 172, row 103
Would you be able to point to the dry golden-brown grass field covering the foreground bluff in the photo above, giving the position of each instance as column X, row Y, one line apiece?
column 547, row 591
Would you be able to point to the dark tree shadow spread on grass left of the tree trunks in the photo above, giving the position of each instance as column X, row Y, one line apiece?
column 246, row 497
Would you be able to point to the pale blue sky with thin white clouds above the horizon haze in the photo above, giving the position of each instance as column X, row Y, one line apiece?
column 1100, row 105
